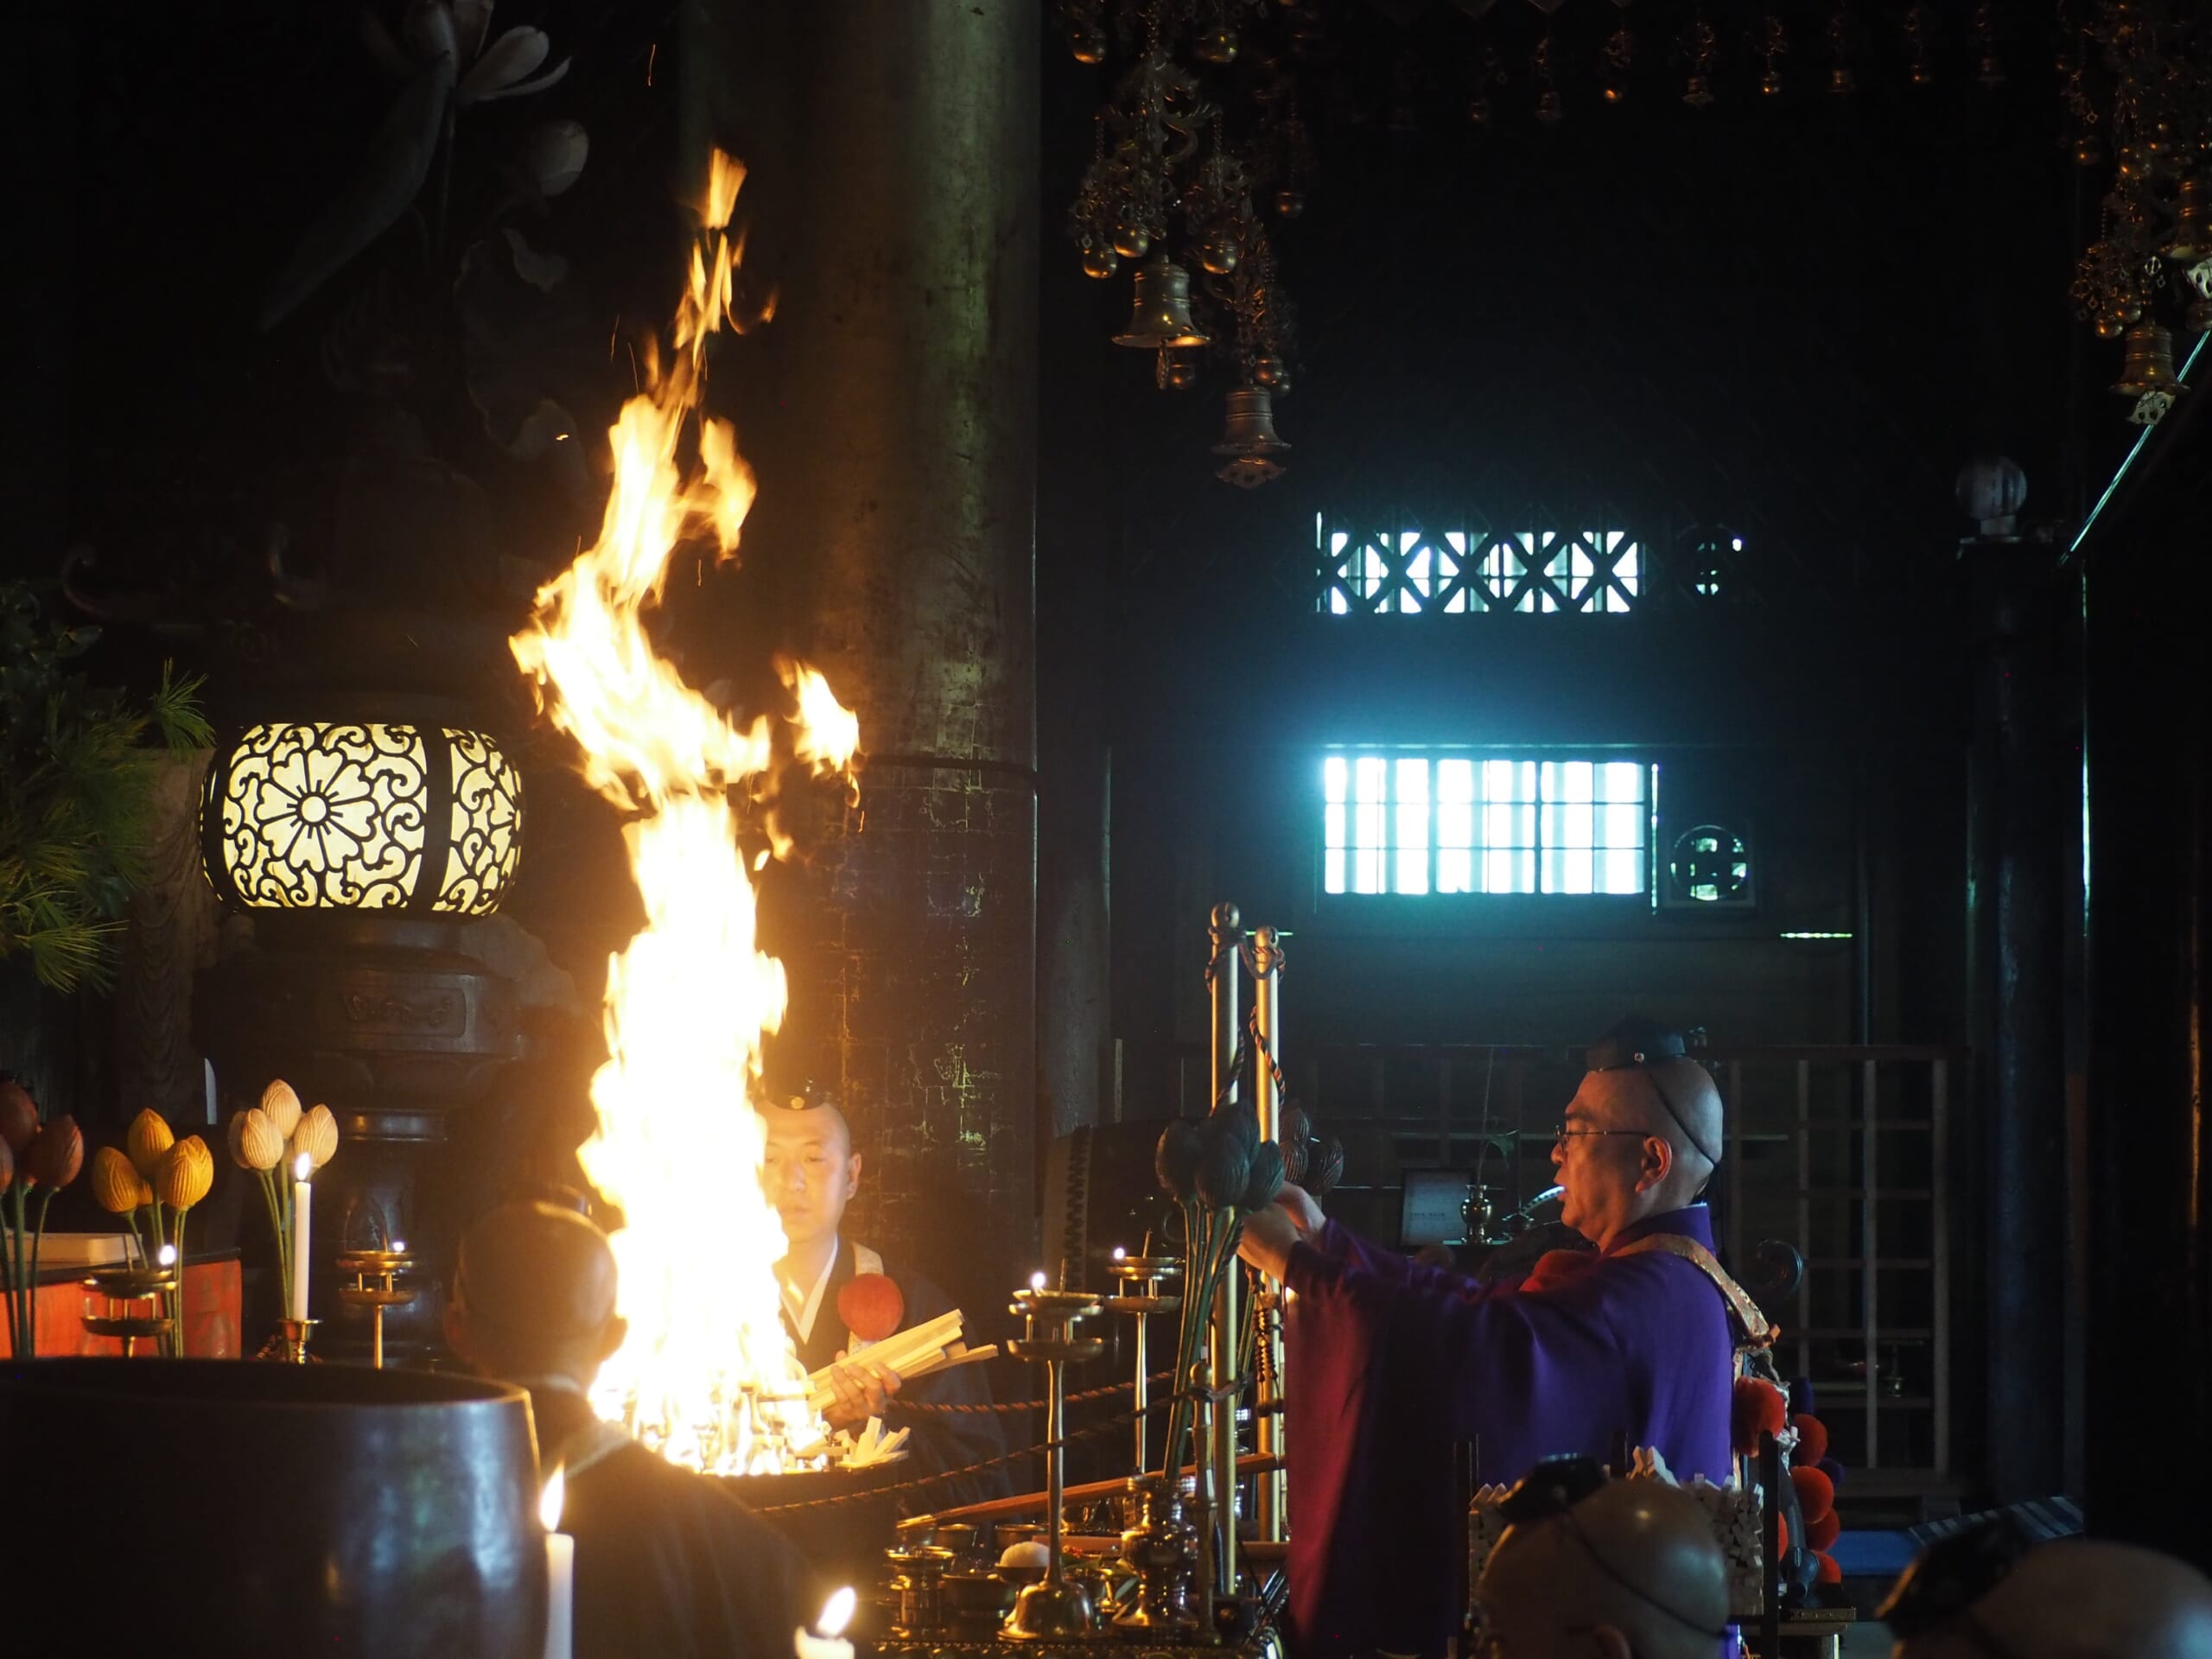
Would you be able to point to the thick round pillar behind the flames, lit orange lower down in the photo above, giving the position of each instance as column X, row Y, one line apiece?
column 890, row 413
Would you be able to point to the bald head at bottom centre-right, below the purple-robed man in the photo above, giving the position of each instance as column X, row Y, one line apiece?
column 1634, row 1567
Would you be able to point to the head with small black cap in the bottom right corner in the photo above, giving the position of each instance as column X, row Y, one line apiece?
column 1994, row 1594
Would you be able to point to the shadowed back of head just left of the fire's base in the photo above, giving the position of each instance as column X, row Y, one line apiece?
column 534, row 1293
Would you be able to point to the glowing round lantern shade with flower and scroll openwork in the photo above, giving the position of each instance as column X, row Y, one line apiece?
column 364, row 817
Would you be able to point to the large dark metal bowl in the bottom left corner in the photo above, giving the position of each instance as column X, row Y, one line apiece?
column 271, row 1510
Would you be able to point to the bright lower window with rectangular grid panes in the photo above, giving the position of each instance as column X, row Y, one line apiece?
column 1404, row 822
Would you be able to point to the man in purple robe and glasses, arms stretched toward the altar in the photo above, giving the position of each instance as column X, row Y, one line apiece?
column 1392, row 1364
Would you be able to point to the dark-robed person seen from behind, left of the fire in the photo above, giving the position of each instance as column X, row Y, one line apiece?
column 667, row 1563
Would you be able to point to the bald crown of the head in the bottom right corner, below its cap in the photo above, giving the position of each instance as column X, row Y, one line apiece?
column 2083, row 1600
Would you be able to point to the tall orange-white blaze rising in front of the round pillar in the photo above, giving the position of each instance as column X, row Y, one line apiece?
column 707, row 1373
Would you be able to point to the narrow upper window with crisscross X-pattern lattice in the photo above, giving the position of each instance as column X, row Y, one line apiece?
column 1410, row 572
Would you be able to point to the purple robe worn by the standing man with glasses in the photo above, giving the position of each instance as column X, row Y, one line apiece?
column 1390, row 1364
